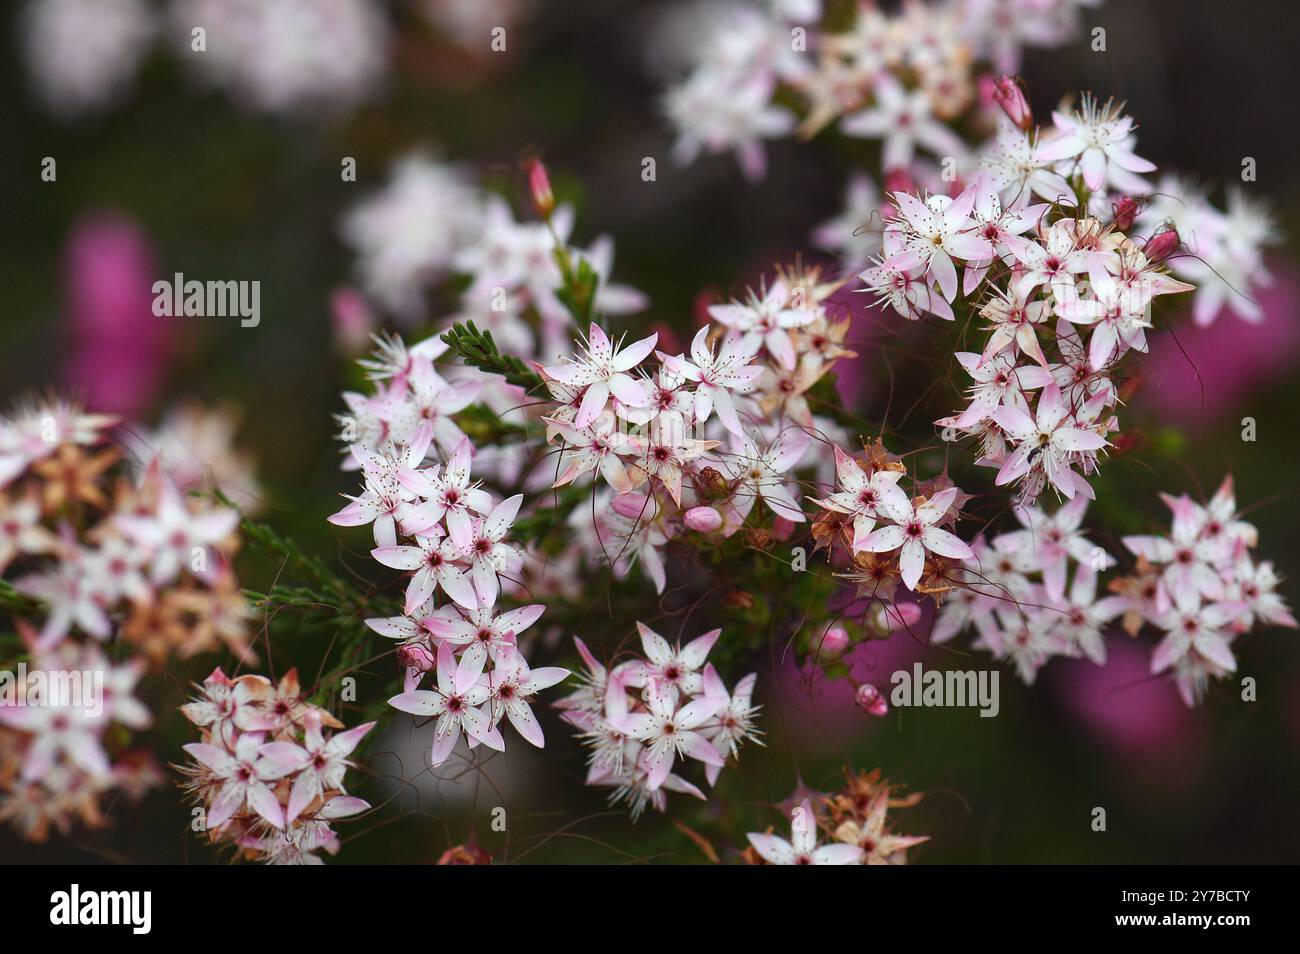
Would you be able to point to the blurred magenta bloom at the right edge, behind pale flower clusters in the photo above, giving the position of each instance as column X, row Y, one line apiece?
column 1206, row 372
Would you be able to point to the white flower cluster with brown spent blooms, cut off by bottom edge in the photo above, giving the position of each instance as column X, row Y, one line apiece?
column 857, row 822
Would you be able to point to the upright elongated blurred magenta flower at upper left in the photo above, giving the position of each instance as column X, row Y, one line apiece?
column 119, row 346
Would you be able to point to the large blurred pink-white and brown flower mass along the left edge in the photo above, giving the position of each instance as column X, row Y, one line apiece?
column 89, row 556
